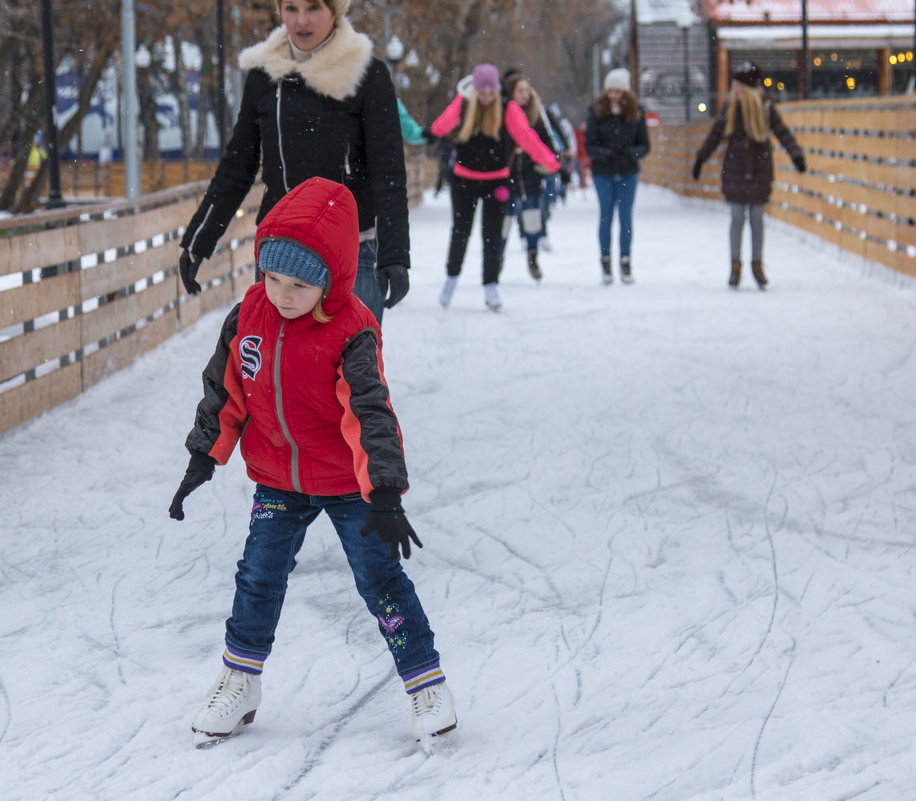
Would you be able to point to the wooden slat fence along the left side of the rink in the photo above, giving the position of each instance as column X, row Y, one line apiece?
column 86, row 290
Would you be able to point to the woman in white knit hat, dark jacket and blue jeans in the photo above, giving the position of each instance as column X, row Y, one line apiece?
column 616, row 139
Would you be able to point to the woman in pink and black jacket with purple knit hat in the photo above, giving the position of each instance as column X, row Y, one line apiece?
column 485, row 134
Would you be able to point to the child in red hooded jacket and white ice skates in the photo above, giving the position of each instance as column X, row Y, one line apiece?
column 297, row 378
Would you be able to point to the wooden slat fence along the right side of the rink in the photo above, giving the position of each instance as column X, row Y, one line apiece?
column 859, row 191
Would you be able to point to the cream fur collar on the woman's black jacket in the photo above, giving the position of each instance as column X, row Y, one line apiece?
column 335, row 70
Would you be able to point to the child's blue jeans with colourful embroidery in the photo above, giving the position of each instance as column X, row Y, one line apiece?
column 277, row 530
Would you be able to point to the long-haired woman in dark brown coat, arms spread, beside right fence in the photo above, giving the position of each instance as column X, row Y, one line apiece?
column 746, row 121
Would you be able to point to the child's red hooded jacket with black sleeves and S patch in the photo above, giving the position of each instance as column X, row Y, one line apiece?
column 307, row 399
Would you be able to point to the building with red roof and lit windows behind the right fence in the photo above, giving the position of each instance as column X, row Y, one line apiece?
column 684, row 51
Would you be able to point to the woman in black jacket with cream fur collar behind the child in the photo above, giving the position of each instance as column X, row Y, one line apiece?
column 316, row 102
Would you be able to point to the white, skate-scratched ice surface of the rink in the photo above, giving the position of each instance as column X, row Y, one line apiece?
column 669, row 555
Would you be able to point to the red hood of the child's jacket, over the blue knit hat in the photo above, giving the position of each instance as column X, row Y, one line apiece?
column 321, row 216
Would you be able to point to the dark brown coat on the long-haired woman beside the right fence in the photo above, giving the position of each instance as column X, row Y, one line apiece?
column 747, row 167
